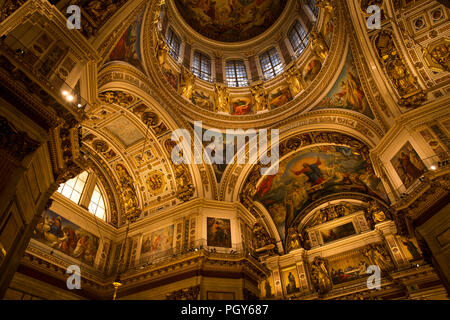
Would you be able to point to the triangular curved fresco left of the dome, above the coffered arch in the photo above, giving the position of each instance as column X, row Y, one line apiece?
column 128, row 48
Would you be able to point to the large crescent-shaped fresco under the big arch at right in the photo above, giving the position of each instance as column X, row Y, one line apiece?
column 311, row 174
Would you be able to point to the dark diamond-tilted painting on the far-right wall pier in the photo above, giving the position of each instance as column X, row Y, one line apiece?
column 408, row 165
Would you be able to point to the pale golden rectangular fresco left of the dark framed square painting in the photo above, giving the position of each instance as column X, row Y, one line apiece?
column 157, row 242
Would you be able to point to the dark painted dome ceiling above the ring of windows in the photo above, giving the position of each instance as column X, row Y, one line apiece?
column 230, row 20
